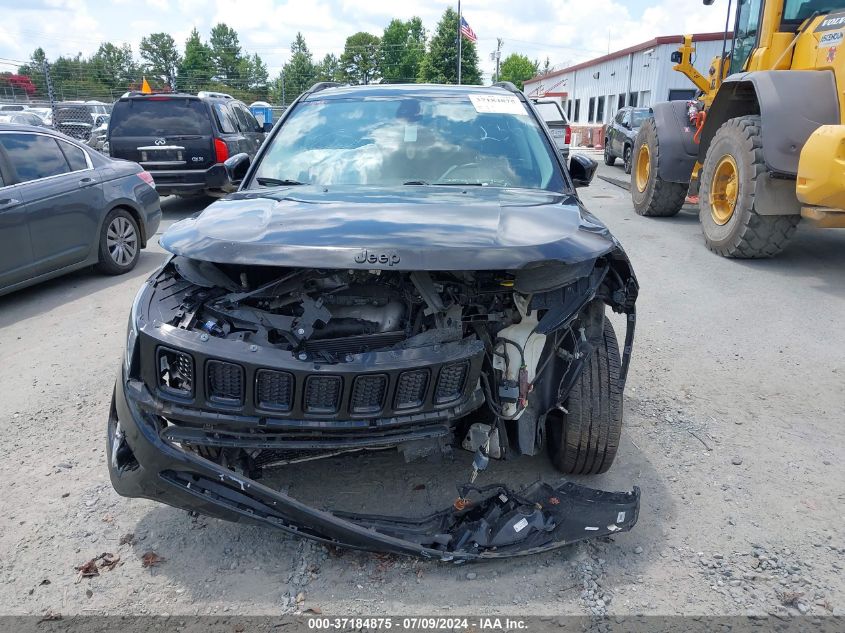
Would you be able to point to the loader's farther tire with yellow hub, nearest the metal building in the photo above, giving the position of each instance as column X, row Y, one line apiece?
column 653, row 196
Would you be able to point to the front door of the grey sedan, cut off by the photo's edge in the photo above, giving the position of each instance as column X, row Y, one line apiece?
column 16, row 262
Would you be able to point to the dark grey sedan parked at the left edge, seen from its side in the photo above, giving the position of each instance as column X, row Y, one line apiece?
column 64, row 206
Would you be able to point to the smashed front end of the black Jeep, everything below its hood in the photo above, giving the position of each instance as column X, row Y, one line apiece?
column 250, row 368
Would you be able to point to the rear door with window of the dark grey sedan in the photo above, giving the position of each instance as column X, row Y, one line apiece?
column 63, row 197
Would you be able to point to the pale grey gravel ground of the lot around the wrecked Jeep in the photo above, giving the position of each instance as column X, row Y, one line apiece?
column 733, row 431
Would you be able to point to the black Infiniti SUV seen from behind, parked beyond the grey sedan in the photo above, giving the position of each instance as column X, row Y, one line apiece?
column 182, row 139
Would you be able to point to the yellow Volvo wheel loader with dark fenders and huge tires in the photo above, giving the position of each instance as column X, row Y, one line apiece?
column 764, row 145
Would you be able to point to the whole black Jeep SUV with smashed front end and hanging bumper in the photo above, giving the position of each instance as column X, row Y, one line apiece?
column 402, row 267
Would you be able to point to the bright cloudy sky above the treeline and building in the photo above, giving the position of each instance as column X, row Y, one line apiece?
column 565, row 31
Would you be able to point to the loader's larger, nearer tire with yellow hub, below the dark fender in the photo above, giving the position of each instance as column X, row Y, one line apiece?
column 730, row 223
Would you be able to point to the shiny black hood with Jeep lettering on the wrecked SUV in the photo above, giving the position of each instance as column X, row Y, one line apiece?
column 405, row 228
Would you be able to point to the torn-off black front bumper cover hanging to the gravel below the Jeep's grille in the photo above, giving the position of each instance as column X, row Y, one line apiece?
column 497, row 523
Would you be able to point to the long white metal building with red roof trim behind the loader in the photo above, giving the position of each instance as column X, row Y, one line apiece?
column 591, row 92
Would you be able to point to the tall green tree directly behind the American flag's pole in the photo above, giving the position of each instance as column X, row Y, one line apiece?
column 440, row 64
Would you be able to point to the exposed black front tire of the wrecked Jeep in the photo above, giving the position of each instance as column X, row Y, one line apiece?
column 584, row 439
